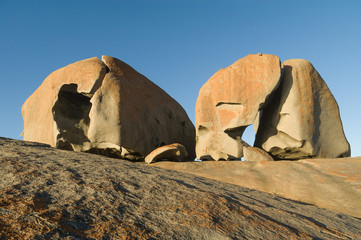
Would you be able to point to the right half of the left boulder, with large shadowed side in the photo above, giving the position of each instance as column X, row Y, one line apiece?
column 132, row 112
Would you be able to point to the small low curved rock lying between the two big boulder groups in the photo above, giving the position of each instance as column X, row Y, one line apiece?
column 173, row 152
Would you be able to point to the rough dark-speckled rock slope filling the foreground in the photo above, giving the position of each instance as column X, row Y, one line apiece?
column 46, row 193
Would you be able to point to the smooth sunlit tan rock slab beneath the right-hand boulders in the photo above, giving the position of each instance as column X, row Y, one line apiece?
column 334, row 184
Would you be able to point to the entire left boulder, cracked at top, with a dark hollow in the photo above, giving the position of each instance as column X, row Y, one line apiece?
column 105, row 107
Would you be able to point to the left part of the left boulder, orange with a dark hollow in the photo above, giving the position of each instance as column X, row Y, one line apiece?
column 48, row 109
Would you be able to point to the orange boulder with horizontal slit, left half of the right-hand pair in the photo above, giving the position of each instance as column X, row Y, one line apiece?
column 229, row 102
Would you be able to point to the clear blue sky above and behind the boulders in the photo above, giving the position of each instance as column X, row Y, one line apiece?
column 179, row 45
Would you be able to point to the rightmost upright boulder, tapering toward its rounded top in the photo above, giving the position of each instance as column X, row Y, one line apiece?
column 303, row 118
